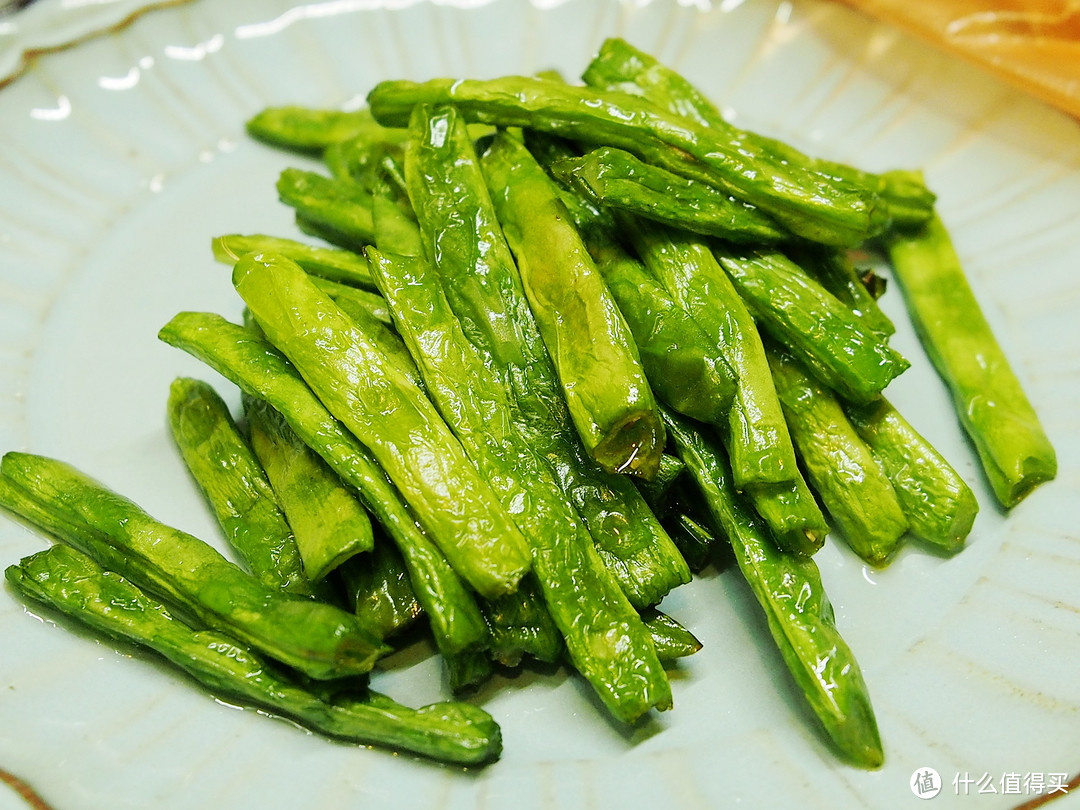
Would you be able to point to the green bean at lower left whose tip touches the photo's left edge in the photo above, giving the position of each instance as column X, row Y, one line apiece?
column 315, row 638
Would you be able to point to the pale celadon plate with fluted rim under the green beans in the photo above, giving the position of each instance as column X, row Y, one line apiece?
column 121, row 158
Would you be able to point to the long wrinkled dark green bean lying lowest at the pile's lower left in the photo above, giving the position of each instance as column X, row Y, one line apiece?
column 73, row 584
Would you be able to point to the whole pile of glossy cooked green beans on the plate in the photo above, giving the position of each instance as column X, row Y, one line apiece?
column 559, row 347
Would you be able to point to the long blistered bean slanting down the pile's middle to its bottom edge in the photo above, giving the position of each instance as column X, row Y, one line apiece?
column 604, row 638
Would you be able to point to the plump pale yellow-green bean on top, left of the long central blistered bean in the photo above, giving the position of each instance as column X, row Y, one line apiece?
column 360, row 386
